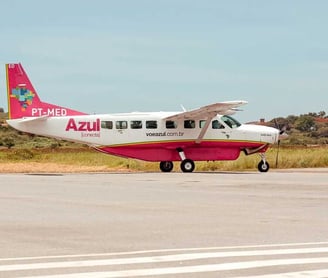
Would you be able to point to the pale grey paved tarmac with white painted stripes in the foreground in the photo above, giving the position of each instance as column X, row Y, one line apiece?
column 244, row 224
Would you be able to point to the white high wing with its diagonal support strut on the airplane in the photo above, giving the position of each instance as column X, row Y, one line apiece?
column 207, row 113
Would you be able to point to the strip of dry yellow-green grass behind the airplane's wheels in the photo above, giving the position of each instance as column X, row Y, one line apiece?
column 87, row 160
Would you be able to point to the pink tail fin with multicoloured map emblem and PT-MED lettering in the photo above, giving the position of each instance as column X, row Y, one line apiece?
column 23, row 101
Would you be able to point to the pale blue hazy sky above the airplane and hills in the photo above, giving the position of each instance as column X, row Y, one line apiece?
column 122, row 56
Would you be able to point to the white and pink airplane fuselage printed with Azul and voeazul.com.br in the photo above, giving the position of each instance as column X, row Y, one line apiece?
column 148, row 136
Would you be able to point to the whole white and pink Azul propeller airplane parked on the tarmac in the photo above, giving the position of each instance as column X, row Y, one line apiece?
column 204, row 134
